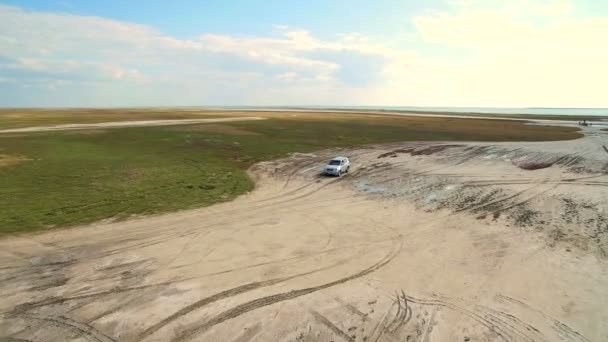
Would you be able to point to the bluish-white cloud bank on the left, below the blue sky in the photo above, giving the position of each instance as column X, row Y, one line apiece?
column 54, row 51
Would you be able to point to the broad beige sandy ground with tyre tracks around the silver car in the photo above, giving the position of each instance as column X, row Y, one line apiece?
column 419, row 242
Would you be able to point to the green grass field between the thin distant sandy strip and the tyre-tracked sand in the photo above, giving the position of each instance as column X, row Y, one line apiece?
column 59, row 179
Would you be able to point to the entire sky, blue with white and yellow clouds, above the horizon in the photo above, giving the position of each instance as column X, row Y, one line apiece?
column 458, row 53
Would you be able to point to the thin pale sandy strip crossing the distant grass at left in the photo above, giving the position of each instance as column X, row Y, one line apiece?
column 118, row 124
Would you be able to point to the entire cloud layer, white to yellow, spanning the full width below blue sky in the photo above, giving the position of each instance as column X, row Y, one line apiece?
column 474, row 53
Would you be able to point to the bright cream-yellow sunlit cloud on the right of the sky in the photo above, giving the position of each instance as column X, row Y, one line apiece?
column 518, row 61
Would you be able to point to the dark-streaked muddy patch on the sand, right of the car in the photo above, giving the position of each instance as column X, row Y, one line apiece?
column 517, row 201
